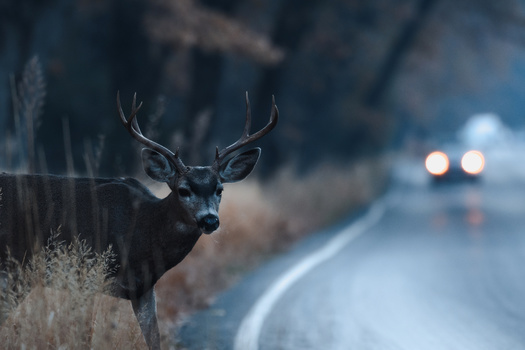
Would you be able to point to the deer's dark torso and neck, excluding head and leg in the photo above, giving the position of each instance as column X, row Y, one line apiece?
column 147, row 234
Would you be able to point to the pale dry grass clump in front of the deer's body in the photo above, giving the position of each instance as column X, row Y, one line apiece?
column 54, row 302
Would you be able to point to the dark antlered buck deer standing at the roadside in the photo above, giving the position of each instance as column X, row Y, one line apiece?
column 148, row 235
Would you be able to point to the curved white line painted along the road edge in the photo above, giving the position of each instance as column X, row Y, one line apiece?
column 247, row 337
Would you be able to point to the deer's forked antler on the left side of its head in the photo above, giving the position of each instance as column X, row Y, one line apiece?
column 131, row 124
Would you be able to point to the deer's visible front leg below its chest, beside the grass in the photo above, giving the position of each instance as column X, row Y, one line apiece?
column 145, row 309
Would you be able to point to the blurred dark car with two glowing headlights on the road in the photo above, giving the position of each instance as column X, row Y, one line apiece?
column 455, row 165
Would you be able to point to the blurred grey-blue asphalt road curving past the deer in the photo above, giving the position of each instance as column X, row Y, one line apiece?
column 426, row 268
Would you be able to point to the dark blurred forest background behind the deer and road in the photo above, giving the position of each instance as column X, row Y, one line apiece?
column 351, row 78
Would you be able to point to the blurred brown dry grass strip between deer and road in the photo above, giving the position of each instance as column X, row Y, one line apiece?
column 258, row 220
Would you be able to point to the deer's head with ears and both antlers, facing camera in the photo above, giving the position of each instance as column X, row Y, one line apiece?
column 197, row 190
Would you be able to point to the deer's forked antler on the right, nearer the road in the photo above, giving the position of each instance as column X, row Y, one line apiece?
column 246, row 138
